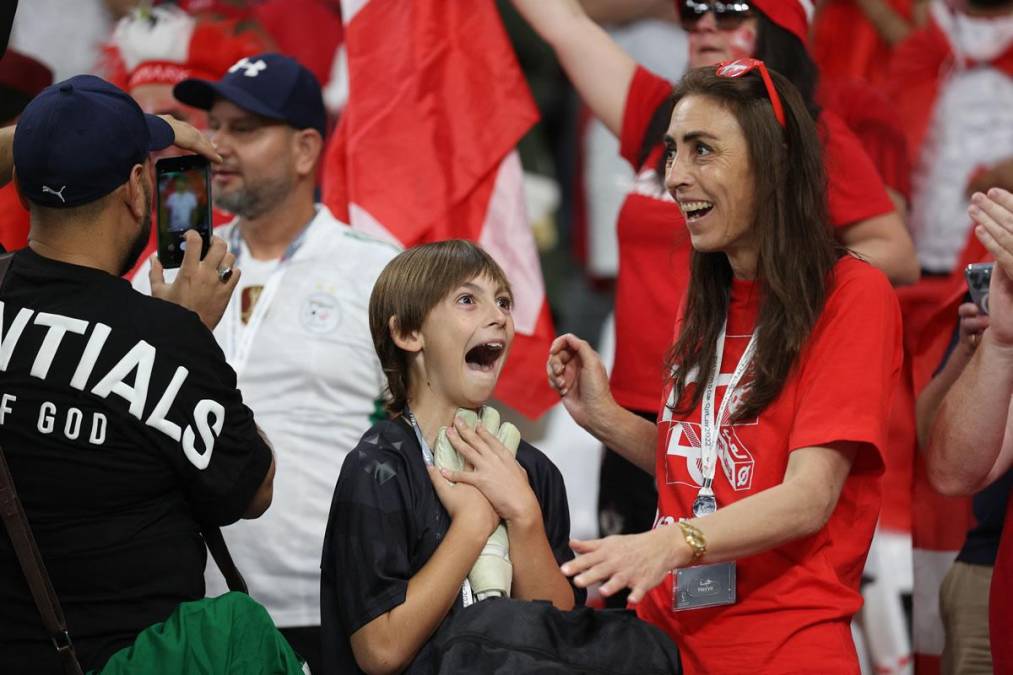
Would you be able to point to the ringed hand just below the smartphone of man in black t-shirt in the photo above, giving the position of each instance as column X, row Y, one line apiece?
column 205, row 287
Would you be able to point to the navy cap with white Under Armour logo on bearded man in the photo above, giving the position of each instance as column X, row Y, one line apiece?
column 271, row 86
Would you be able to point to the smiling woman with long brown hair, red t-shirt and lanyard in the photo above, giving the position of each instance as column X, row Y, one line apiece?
column 768, row 452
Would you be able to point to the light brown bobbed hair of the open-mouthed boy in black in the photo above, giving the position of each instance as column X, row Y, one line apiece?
column 409, row 288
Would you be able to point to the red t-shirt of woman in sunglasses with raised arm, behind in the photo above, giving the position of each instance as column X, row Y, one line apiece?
column 655, row 248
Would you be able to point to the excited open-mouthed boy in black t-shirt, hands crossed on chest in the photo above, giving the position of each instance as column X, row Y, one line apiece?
column 402, row 539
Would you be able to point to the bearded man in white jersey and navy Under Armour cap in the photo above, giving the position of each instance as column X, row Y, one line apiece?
column 297, row 333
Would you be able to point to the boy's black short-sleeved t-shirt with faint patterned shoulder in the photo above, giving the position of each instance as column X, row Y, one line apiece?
column 385, row 523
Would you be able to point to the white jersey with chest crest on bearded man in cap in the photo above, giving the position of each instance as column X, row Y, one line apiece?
column 313, row 381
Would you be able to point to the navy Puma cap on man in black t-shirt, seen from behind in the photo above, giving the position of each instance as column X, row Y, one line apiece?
column 79, row 140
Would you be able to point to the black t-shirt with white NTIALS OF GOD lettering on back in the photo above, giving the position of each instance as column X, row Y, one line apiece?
column 123, row 428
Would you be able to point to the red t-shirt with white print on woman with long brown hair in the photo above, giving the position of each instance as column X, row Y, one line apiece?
column 795, row 603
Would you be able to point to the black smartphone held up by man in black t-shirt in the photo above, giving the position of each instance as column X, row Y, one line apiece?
column 184, row 204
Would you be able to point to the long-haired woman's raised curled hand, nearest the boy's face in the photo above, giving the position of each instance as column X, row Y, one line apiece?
column 577, row 373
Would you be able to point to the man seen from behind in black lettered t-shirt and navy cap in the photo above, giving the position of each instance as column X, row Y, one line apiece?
column 119, row 417
